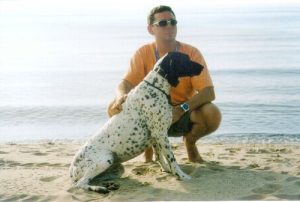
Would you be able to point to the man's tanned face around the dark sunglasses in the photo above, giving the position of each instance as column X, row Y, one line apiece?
column 165, row 33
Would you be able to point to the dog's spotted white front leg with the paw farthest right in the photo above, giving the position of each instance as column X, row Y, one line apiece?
column 164, row 145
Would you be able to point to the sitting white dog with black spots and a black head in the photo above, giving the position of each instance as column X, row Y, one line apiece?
column 143, row 122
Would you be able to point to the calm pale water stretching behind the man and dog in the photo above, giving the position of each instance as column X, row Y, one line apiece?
column 59, row 72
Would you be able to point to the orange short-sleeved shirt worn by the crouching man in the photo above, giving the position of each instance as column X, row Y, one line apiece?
column 144, row 59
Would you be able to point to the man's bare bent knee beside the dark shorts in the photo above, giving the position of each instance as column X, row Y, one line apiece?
column 208, row 116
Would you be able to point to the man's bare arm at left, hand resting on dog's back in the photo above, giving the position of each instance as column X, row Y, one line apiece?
column 115, row 106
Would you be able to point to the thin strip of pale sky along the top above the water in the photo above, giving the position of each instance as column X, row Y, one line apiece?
column 92, row 7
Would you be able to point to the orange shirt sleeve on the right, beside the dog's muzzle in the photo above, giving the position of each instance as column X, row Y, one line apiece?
column 203, row 80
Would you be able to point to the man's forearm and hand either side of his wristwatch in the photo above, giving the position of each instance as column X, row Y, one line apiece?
column 203, row 96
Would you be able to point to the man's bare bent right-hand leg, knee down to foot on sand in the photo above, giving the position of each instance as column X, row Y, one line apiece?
column 206, row 120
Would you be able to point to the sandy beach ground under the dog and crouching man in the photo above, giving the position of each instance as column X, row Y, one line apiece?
column 39, row 172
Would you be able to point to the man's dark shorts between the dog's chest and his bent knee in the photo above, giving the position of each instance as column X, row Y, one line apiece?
column 181, row 127
